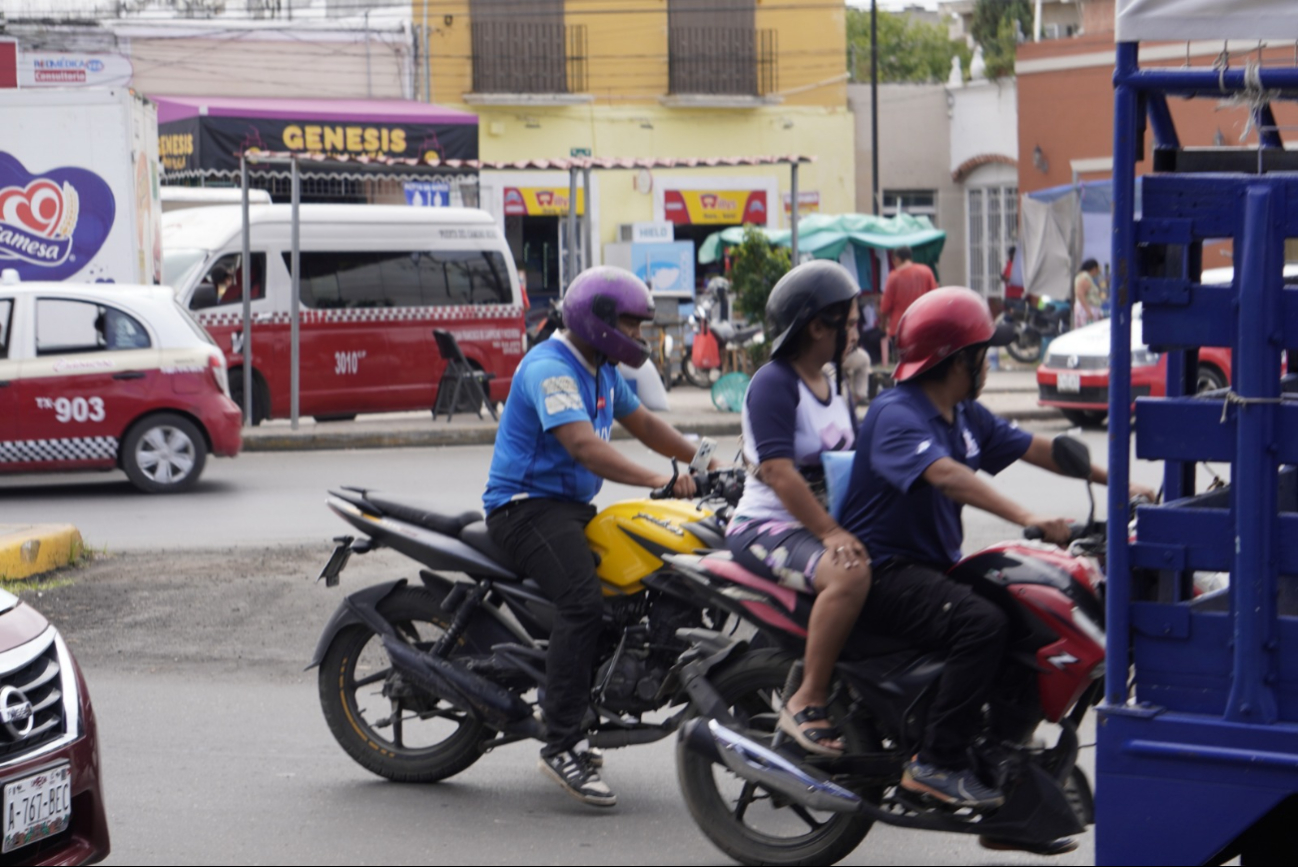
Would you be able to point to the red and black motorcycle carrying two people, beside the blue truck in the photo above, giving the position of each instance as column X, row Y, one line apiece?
column 763, row 800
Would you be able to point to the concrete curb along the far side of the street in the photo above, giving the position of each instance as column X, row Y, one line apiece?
column 716, row 425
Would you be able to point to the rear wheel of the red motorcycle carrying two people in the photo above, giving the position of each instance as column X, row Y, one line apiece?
column 743, row 820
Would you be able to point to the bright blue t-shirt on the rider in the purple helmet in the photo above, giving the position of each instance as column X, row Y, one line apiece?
column 552, row 387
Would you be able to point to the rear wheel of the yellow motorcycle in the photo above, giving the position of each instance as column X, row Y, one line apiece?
column 386, row 725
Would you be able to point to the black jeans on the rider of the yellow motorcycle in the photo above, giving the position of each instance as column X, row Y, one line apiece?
column 547, row 543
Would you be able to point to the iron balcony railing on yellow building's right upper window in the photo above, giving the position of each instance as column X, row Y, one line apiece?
column 724, row 60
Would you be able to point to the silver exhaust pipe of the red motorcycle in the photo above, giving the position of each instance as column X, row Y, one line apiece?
column 761, row 765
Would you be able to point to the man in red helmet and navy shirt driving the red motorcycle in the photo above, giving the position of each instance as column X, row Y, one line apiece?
column 916, row 468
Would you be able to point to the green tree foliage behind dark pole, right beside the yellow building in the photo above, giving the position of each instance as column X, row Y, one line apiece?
column 911, row 50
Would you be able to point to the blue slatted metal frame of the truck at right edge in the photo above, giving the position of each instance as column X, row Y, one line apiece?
column 1197, row 753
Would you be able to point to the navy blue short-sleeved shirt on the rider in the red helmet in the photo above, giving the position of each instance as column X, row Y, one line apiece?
column 890, row 506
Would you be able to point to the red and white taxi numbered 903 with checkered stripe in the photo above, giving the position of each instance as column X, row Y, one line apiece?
column 95, row 377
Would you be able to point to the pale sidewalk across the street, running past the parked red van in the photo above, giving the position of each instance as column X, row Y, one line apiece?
column 1012, row 394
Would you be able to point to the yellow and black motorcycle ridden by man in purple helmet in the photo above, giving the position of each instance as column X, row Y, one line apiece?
column 417, row 681
